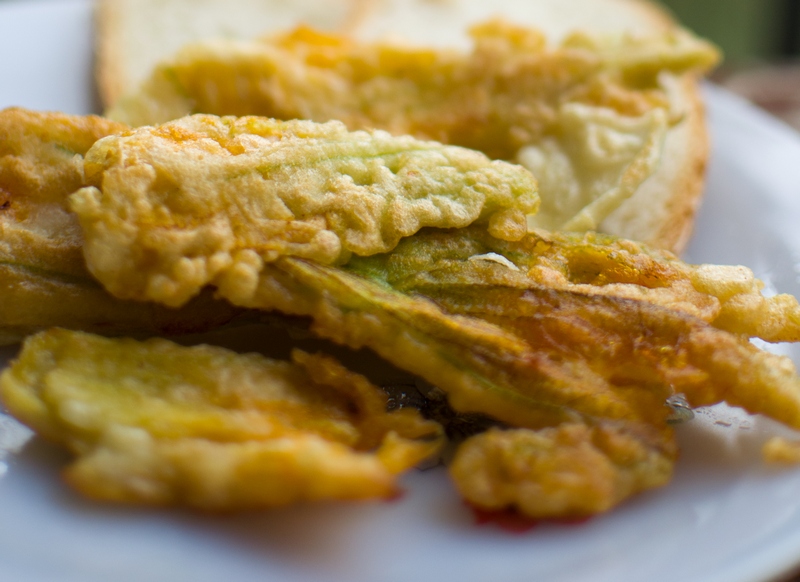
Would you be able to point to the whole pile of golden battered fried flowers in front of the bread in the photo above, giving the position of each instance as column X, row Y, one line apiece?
column 558, row 351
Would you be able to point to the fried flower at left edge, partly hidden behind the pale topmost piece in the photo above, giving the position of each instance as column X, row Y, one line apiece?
column 43, row 276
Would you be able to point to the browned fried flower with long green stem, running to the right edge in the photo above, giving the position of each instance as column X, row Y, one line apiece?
column 533, row 356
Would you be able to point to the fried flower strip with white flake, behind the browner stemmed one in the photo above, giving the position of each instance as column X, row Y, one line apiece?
column 728, row 297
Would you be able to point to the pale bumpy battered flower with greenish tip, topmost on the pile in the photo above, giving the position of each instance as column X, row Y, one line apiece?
column 176, row 207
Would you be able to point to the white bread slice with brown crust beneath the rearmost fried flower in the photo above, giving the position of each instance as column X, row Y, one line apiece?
column 134, row 35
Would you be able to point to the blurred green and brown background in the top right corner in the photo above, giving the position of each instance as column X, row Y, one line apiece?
column 761, row 43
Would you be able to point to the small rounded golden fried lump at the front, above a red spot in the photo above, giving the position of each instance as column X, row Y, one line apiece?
column 565, row 471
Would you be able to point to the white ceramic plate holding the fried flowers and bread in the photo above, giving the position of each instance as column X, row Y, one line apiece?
column 726, row 517
